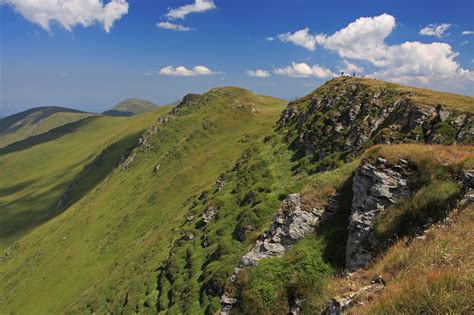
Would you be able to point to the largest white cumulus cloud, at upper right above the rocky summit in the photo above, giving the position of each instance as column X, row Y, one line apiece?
column 431, row 64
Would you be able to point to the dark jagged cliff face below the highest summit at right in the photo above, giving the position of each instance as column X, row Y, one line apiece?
column 345, row 116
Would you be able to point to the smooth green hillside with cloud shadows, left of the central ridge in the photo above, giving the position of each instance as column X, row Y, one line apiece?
column 37, row 171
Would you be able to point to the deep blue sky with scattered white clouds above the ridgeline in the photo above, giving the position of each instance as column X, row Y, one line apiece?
column 92, row 57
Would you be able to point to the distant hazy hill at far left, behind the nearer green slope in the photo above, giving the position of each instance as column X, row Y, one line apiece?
column 36, row 121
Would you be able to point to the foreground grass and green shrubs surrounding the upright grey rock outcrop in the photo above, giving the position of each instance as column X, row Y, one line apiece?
column 438, row 275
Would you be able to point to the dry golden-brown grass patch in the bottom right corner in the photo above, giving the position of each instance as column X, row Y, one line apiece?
column 433, row 276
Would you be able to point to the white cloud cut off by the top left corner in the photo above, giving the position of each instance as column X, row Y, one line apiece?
column 69, row 13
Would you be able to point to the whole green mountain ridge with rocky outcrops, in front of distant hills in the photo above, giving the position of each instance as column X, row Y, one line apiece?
column 235, row 202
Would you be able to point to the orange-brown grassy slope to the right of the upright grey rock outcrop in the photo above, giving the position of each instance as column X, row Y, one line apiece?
column 434, row 274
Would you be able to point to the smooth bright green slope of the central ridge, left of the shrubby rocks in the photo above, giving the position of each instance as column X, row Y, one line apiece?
column 106, row 248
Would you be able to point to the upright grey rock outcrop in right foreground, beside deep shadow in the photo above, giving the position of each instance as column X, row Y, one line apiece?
column 375, row 188
